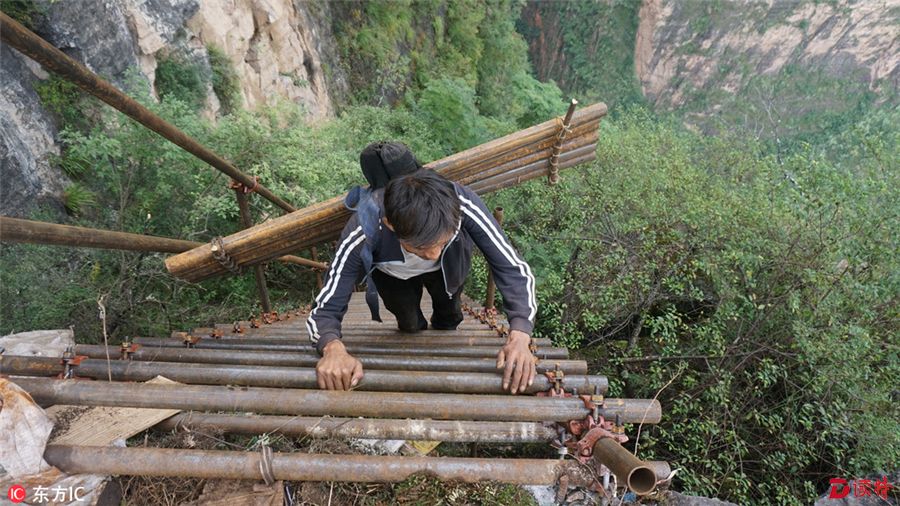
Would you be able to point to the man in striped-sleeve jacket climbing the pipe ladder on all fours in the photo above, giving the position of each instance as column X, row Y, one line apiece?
column 414, row 229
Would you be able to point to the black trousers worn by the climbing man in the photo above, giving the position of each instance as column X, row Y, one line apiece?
column 403, row 298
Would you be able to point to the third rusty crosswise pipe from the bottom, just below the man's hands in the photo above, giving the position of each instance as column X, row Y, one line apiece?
column 288, row 401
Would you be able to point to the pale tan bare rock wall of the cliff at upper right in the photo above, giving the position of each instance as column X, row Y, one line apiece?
column 682, row 47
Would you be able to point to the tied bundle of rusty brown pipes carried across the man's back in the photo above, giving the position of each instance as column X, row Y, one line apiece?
column 535, row 152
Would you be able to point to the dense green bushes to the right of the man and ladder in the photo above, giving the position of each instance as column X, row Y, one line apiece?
column 757, row 297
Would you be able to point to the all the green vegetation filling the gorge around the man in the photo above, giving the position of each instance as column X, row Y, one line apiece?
column 751, row 287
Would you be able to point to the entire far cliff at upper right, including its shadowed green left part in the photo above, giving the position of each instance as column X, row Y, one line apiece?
column 772, row 68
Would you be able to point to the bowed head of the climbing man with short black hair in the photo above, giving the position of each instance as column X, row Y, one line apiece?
column 422, row 209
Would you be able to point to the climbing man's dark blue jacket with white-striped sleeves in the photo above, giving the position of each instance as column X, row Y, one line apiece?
column 366, row 242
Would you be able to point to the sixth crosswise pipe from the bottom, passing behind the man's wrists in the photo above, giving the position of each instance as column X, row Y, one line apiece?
column 304, row 347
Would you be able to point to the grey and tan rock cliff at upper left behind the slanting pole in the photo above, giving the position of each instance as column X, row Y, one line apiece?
column 277, row 48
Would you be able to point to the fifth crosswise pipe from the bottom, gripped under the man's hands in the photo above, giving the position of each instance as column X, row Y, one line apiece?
column 266, row 358
